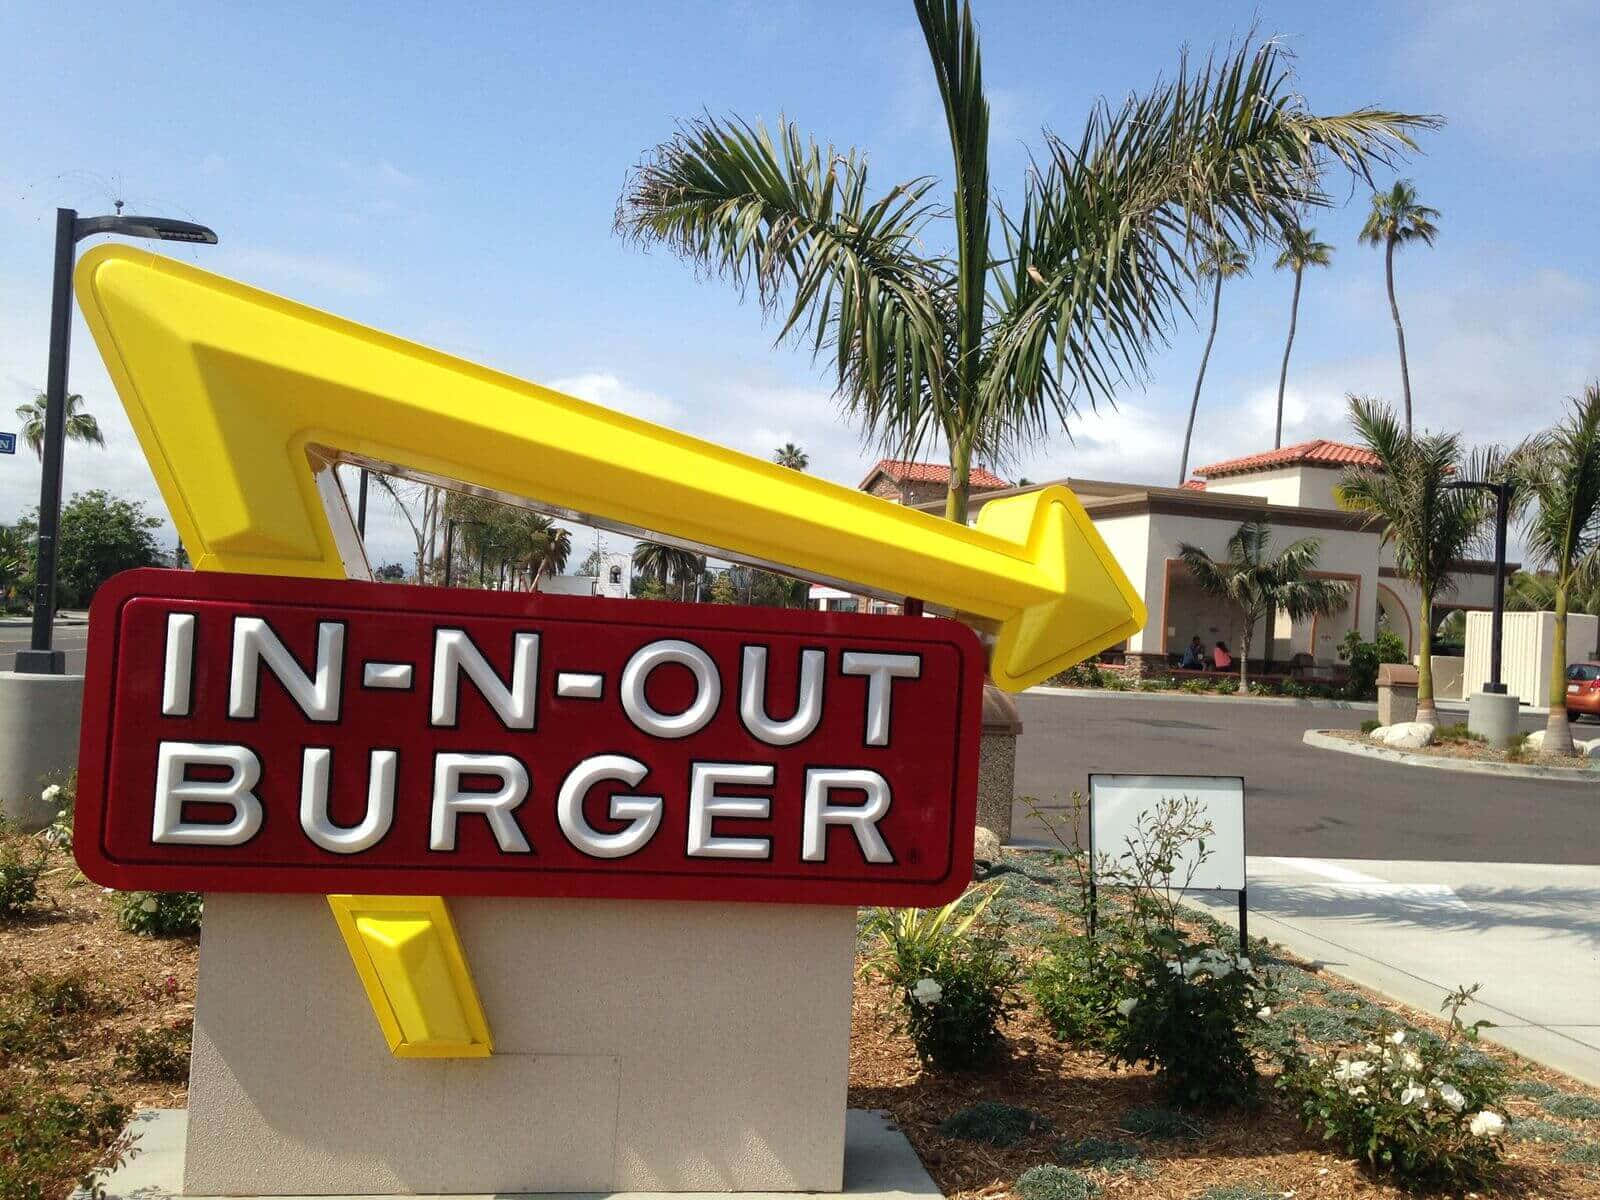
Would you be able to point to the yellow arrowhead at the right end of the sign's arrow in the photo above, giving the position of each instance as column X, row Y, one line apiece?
column 1095, row 607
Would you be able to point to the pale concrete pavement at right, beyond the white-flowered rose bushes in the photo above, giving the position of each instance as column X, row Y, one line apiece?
column 1418, row 930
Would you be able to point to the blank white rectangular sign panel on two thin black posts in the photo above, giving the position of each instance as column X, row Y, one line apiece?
column 1118, row 802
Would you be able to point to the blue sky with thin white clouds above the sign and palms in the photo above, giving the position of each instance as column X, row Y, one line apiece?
column 450, row 175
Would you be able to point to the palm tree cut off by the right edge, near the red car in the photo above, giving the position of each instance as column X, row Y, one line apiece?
column 1559, row 478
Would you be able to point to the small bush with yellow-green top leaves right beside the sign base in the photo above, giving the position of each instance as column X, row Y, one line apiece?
column 956, row 980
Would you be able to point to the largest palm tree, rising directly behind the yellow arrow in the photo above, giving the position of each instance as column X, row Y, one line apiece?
column 969, row 346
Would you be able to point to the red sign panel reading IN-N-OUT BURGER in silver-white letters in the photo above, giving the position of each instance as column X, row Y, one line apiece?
column 292, row 735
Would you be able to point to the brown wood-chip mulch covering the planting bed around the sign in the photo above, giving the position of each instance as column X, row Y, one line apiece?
column 140, row 986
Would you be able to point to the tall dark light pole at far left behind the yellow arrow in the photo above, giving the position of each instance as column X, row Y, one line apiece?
column 41, row 658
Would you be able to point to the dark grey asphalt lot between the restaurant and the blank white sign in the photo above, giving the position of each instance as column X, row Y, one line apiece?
column 1303, row 802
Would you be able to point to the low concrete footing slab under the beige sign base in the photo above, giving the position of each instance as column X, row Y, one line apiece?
column 879, row 1166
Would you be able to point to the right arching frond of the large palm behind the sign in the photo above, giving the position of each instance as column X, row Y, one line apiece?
column 1098, row 258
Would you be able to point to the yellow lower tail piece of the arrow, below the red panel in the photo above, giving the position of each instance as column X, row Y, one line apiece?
column 410, row 962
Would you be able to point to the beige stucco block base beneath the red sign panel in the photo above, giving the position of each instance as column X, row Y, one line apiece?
column 663, row 1047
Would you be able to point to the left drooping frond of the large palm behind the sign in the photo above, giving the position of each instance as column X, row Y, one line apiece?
column 796, row 222
